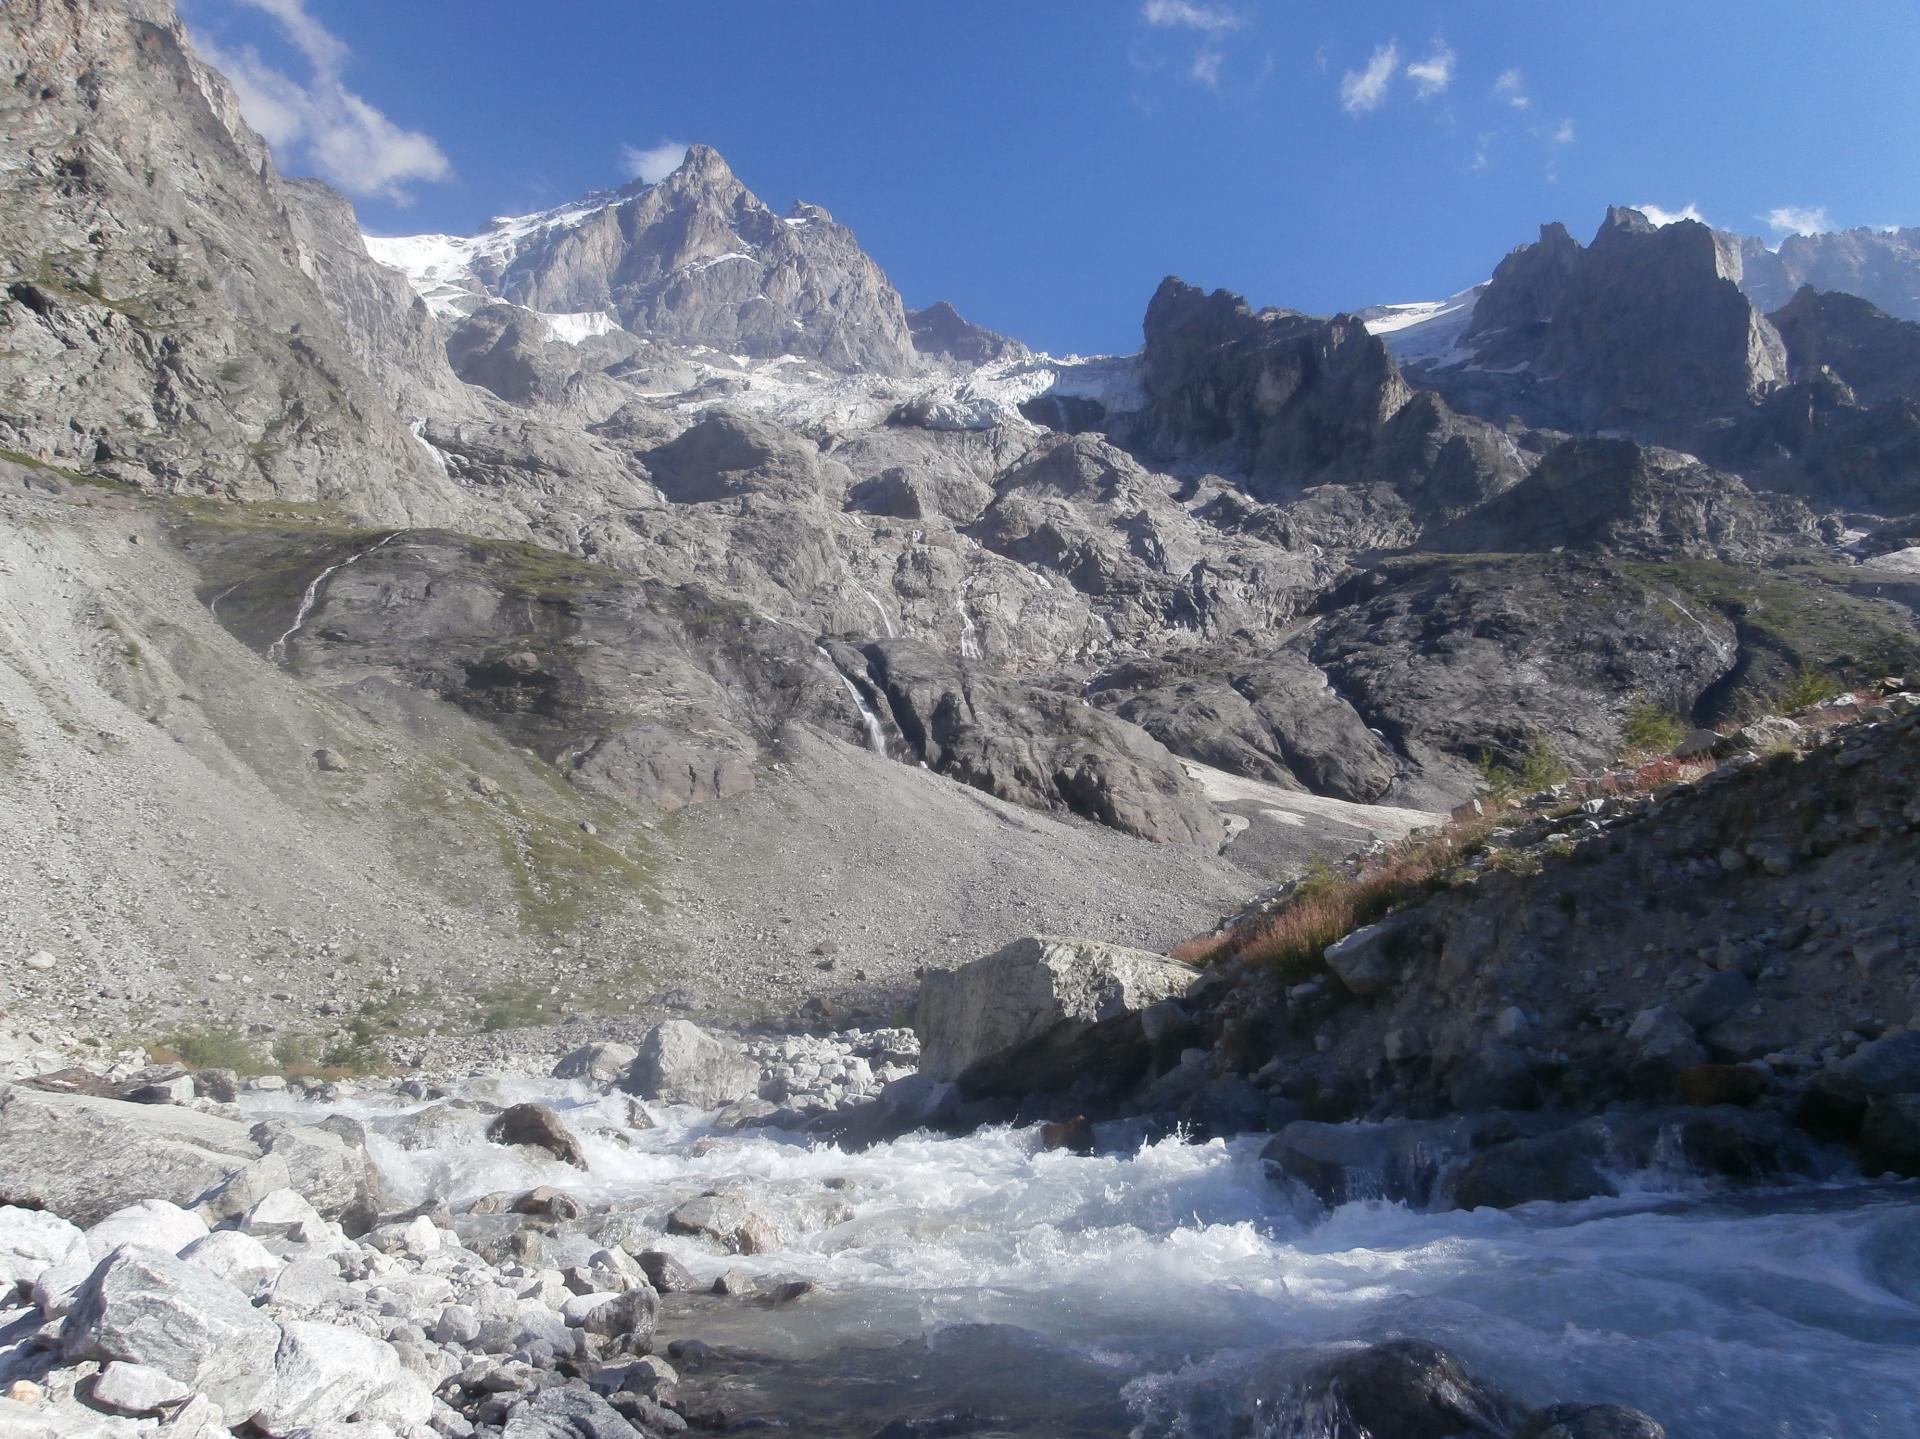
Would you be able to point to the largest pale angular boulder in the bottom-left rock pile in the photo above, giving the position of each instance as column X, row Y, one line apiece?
column 151, row 1309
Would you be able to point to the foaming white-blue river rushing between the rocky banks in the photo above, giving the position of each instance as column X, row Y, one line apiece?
column 1168, row 1275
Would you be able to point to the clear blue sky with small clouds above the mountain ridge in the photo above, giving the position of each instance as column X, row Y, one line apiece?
column 1045, row 164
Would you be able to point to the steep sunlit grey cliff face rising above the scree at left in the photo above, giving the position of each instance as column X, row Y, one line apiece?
column 164, row 287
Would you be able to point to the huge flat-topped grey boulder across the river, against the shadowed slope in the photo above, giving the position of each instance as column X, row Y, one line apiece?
column 1042, row 1013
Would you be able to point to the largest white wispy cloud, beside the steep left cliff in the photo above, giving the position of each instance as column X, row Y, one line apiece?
column 345, row 137
